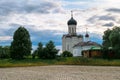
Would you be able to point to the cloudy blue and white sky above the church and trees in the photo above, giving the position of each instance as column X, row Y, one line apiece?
column 47, row 19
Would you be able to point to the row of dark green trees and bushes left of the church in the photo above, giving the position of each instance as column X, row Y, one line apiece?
column 21, row 47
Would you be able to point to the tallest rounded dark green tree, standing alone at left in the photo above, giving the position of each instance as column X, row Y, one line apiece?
column 21, row 45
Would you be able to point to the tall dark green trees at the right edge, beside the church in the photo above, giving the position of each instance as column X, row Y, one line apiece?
column 111, row 42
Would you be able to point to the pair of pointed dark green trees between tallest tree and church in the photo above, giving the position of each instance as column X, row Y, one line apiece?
column 47, row 52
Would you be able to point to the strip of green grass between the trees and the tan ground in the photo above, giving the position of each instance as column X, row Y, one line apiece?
column 58, row 61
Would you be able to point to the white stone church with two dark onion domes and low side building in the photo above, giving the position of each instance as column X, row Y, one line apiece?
column 75, row 43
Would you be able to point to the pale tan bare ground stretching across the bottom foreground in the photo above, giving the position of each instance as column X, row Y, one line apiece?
column 60, row 73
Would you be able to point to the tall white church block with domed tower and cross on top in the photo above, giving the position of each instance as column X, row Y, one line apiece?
column 70, row 39
